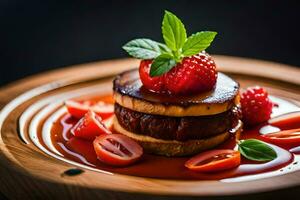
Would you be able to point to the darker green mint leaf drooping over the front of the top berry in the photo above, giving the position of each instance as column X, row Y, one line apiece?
column 162, row 64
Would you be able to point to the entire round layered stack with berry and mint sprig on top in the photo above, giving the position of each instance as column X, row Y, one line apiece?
column 177, row 103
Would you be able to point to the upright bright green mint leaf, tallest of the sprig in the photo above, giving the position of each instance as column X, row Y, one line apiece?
column 173, row 31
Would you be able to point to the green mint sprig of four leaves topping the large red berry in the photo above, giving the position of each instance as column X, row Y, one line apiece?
column 176, row 47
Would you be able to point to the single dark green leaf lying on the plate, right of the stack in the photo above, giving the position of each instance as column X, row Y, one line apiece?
column 256, row 150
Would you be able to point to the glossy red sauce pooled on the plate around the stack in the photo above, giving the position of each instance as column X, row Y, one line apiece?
column 164, row 167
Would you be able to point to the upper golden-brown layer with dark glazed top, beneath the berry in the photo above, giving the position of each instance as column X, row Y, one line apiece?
column 129, row 93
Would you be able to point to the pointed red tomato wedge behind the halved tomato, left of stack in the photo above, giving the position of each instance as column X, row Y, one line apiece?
column 89, row 127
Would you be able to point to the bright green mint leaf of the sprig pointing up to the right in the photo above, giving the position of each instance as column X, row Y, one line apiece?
column 198, row 42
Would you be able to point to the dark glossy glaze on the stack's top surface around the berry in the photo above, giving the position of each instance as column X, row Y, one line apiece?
column 128, row 83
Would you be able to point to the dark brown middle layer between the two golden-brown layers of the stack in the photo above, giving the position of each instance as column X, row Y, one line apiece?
column 177, row 128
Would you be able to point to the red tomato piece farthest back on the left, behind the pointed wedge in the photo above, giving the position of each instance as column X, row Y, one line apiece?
column 78, row 110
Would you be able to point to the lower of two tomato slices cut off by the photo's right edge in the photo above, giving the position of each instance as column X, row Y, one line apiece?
column 291, row 136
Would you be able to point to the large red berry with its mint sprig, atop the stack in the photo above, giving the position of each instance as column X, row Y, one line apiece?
column 180, row 66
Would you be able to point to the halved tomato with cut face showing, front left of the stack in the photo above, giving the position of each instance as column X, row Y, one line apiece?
column 117, row 149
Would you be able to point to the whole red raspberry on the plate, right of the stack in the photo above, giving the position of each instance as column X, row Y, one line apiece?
column 256, row 106
